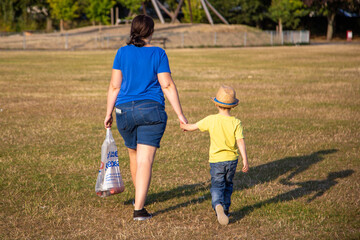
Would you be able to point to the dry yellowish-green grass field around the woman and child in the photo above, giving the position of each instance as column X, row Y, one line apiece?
column 300, row 107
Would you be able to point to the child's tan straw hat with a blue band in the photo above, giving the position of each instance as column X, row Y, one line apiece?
column 226, row 97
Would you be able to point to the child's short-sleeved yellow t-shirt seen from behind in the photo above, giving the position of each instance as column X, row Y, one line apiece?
column 224, row 131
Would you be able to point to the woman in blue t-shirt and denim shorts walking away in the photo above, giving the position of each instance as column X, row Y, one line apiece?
column 140, row 77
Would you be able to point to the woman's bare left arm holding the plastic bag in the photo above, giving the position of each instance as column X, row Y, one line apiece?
column 114, row 88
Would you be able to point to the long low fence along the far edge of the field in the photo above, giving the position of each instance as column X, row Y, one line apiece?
column 82, row 41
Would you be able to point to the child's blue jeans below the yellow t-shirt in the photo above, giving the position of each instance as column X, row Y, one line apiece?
column 222, row 174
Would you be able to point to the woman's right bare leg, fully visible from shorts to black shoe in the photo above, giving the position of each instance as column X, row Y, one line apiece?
column 145, row 155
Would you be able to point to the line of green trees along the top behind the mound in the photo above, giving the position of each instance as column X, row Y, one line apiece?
column 45, row 15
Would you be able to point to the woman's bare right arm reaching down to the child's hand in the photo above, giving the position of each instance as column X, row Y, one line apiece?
column 169, row 89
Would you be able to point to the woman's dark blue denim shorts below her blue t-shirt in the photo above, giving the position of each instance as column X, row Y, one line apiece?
column 141, row 122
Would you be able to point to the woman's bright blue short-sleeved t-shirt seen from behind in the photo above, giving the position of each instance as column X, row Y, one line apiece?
column 139, row 67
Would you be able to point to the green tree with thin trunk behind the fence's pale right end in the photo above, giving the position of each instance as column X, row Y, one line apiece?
column 287, row 13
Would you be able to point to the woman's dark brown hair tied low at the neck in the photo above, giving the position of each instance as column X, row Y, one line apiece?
column 142, row 26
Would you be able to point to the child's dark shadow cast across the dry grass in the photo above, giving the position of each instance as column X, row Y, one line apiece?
column 318, row 187
